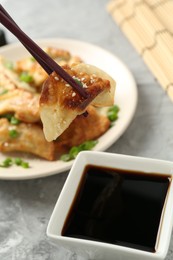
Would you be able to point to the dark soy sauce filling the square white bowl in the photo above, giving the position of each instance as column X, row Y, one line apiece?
column 118, row 207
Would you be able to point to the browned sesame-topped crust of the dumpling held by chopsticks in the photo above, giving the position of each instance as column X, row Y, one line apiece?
column 56, row 90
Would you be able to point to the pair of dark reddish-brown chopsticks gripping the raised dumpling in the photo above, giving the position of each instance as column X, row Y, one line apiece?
column 46, row 62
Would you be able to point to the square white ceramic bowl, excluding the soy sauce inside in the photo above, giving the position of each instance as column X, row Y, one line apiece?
column 98, row 250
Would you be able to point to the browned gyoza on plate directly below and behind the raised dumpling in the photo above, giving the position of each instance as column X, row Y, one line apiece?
column 82, row 129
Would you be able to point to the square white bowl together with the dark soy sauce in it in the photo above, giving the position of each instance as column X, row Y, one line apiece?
column 115, row 207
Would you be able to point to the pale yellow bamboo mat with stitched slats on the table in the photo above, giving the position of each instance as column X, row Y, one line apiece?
column 148, row 24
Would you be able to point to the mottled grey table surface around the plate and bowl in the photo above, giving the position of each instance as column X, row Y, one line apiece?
column 26, row 206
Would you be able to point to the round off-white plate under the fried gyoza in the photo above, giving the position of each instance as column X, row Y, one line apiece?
column 125, row 97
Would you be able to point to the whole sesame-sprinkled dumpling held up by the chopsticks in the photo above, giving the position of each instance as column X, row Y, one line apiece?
column 60, row 103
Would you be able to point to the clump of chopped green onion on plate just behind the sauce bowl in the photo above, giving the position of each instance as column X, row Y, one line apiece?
column 88, row 145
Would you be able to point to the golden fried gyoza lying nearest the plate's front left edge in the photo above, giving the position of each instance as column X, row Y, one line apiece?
column 30, row 139
